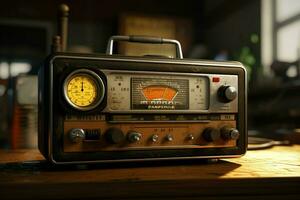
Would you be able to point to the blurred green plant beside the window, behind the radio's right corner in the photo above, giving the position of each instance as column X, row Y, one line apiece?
column 246, row 56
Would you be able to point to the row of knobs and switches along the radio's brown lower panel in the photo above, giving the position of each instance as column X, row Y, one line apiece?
column 116, row 136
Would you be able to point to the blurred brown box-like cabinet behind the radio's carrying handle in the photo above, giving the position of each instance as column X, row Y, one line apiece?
column 160, row 26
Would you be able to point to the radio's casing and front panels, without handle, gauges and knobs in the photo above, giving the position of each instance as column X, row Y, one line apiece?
column 56, row 117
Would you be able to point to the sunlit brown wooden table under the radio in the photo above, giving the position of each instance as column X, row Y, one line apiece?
column 265, row 174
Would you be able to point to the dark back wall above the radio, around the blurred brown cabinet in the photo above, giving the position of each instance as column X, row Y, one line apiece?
column 219, row 24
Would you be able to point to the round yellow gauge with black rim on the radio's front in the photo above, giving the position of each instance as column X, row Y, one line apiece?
column 83, row 89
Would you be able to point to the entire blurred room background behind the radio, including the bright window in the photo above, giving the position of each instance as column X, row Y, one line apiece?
column 262, row 34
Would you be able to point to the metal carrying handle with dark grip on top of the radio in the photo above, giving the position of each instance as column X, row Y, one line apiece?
column 143, row 39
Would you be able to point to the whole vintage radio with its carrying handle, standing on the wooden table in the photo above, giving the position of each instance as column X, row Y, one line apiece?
column 112, row 108
